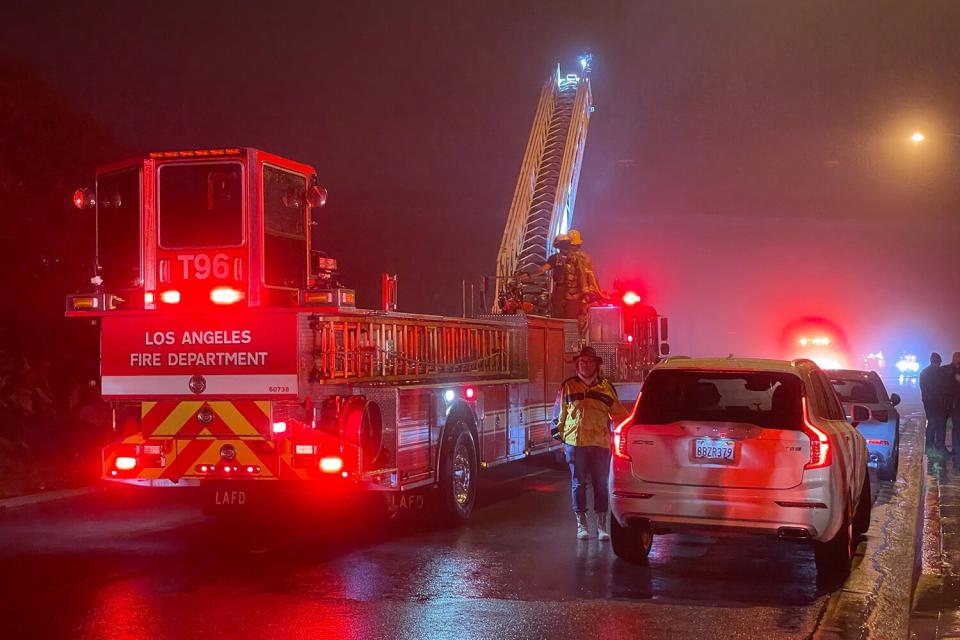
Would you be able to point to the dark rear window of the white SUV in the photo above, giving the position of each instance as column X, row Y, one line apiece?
column 764, row 398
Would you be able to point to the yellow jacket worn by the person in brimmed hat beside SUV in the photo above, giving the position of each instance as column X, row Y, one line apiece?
column 582, row 413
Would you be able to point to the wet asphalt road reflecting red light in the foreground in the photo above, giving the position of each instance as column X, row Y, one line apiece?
column 138, row 566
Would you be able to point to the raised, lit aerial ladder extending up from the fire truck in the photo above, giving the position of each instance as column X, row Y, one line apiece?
column 546, row 191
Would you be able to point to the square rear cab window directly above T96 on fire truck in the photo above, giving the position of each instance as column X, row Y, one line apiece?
column 201, row 205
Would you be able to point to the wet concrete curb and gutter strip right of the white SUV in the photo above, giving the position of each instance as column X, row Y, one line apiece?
column 875, row 600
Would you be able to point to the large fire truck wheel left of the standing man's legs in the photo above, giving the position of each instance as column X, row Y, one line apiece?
column 458, row 474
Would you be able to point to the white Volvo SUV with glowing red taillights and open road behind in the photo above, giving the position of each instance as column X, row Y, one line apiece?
column 741, row 446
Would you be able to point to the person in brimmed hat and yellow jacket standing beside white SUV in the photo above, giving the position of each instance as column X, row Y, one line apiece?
column 585, row 405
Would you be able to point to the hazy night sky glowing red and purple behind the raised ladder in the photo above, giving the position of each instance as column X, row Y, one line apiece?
column 748, row 163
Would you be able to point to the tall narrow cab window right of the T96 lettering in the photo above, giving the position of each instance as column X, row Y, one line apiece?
column 285, row 237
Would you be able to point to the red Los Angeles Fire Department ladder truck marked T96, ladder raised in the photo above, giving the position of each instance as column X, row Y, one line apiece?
column 235, row 360
